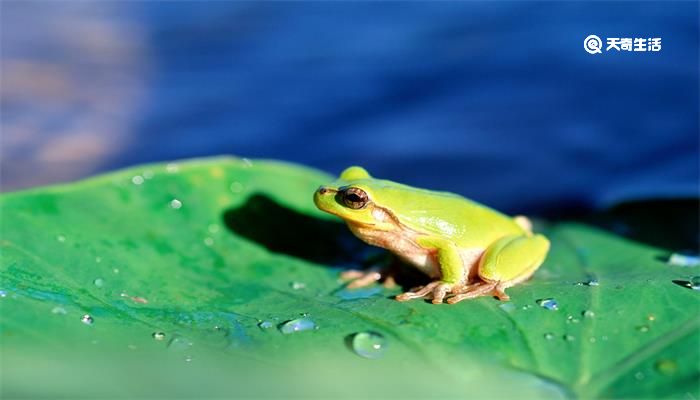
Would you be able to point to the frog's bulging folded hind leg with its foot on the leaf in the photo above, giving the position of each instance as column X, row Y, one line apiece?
column 509, row 261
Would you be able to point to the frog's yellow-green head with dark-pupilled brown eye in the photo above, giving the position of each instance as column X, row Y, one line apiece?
column 352, row 198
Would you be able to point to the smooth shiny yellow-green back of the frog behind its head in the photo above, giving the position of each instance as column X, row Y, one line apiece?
column 465, row 222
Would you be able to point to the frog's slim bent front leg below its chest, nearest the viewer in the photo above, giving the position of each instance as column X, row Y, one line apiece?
column 452, row 272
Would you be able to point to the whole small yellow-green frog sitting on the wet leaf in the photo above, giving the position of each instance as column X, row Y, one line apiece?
column 467, row 249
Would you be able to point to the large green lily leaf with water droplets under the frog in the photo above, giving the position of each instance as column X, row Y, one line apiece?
column 204, row 251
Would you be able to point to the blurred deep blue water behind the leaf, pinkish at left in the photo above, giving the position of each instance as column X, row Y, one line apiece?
column 497, row 101
